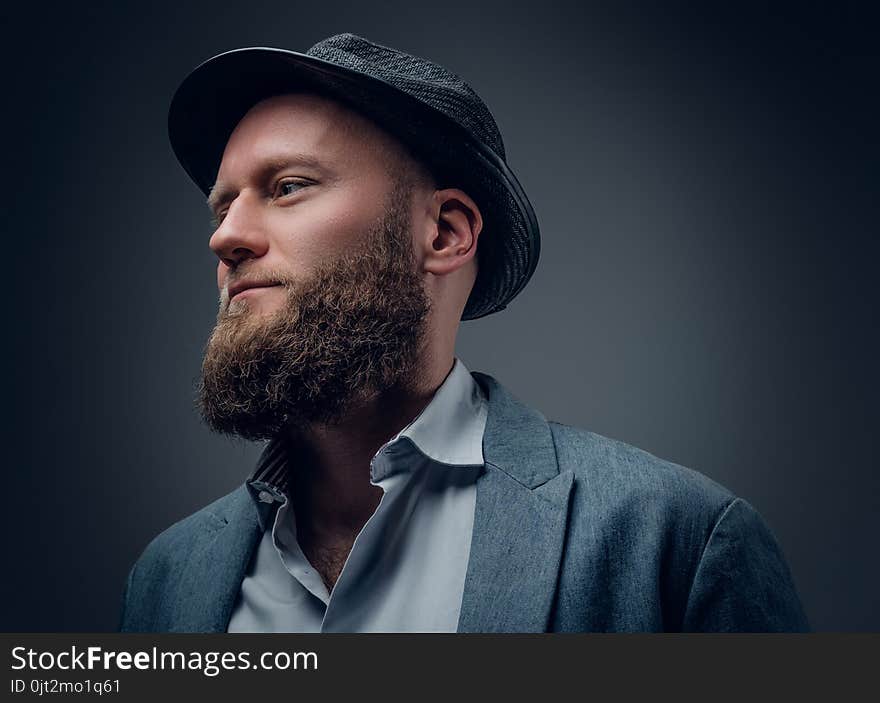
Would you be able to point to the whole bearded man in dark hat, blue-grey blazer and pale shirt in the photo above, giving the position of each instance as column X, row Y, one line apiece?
column 362, row 208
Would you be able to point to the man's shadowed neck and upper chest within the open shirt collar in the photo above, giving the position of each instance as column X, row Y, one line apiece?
column 330, row 477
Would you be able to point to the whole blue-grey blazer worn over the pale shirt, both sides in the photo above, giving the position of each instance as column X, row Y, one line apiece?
column 573, row 532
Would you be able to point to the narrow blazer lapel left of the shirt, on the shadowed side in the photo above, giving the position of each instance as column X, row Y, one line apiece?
column 210, row 583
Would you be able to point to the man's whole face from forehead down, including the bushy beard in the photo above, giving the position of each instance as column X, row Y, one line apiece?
column 310, row 217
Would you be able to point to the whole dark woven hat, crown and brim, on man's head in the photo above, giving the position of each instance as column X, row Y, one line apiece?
column 442, row 121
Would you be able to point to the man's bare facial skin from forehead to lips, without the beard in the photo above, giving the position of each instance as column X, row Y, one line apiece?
column 301, row 180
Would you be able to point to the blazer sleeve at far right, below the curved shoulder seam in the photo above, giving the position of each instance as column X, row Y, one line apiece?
column 742, row 583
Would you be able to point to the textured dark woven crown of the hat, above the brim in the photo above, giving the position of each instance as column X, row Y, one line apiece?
column 420, row 78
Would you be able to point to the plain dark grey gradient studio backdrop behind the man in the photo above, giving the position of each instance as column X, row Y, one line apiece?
column 707, row 190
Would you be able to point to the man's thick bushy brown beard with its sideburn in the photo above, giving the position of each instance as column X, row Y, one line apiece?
column 352, row 330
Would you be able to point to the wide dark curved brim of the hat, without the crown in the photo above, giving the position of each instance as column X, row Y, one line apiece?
column 214, row 97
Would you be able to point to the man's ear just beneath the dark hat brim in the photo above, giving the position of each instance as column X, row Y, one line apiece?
column 452, row 238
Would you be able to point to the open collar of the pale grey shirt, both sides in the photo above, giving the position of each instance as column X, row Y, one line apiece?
column 448, row 431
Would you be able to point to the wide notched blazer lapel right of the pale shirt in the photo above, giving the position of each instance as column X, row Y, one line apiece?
column 520, row 521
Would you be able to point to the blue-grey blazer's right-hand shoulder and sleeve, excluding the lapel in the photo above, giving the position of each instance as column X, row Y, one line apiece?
column 664, row 547
